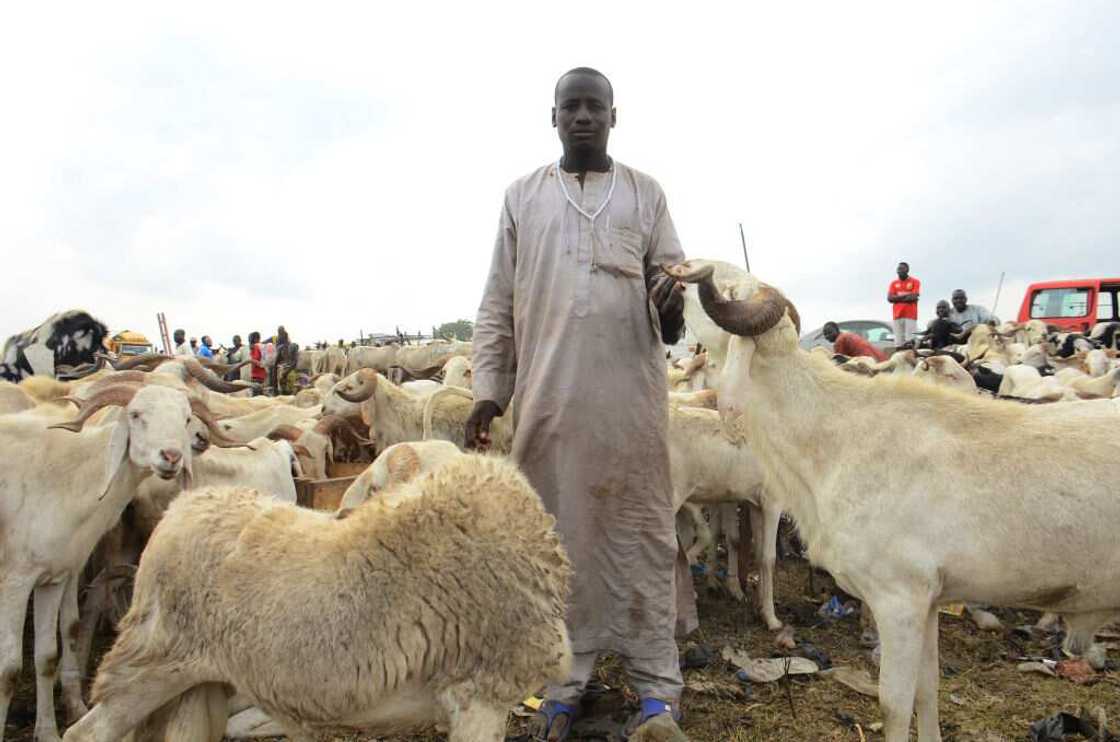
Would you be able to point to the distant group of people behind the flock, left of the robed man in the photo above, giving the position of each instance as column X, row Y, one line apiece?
column 272, row 361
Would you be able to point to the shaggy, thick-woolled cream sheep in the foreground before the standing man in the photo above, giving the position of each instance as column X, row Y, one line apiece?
column 450, row 608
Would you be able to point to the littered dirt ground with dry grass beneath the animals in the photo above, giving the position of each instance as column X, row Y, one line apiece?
column 984, row 699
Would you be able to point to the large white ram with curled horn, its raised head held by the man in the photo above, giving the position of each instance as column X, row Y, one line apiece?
column 892, row 497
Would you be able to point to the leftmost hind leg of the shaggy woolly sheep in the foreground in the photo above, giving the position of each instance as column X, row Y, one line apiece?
column 129, row 699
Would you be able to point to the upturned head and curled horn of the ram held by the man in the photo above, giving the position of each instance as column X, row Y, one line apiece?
column 761, row 310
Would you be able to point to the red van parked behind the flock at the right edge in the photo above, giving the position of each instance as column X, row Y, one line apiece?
column 1075, row 305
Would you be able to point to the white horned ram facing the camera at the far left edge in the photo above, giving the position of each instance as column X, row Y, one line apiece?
column 62, row 488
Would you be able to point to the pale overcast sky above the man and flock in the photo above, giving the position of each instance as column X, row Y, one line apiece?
column 341, row 168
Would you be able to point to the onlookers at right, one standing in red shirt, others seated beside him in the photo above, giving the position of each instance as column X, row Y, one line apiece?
column 953, row 324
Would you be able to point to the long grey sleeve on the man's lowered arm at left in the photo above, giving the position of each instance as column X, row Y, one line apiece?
column 496, row 363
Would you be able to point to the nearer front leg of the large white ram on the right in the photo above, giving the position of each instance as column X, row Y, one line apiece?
column 902, row 634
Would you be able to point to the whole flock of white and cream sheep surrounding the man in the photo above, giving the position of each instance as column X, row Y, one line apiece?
column 397, row 610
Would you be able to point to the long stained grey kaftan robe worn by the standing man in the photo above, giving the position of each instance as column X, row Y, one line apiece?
column 567, row 332
